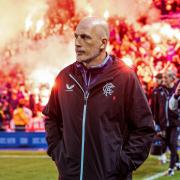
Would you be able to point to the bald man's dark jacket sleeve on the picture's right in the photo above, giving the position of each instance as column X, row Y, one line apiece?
column 140, row 124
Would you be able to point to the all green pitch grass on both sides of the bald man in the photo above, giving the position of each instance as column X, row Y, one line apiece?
column 14, row 165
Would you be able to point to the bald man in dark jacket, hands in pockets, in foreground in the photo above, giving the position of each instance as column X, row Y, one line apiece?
column 98, row 122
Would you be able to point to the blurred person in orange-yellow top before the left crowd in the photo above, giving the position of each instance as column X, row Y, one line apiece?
column 20, row 117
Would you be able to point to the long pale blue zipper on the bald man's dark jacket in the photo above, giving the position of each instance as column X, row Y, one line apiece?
column 86, row 95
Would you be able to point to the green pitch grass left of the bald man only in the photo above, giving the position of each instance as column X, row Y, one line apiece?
column 40, row 168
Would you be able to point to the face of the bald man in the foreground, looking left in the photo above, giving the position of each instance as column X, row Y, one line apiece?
column 87, row 43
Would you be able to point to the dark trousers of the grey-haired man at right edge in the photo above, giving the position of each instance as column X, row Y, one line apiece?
column 171, row 140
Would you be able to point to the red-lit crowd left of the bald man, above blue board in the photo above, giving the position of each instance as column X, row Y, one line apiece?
column 19, row 108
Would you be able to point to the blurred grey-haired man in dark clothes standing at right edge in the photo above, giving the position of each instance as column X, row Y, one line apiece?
column 172, row 123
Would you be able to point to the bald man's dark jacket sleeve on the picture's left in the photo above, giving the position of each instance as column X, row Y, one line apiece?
column 53, row 120
